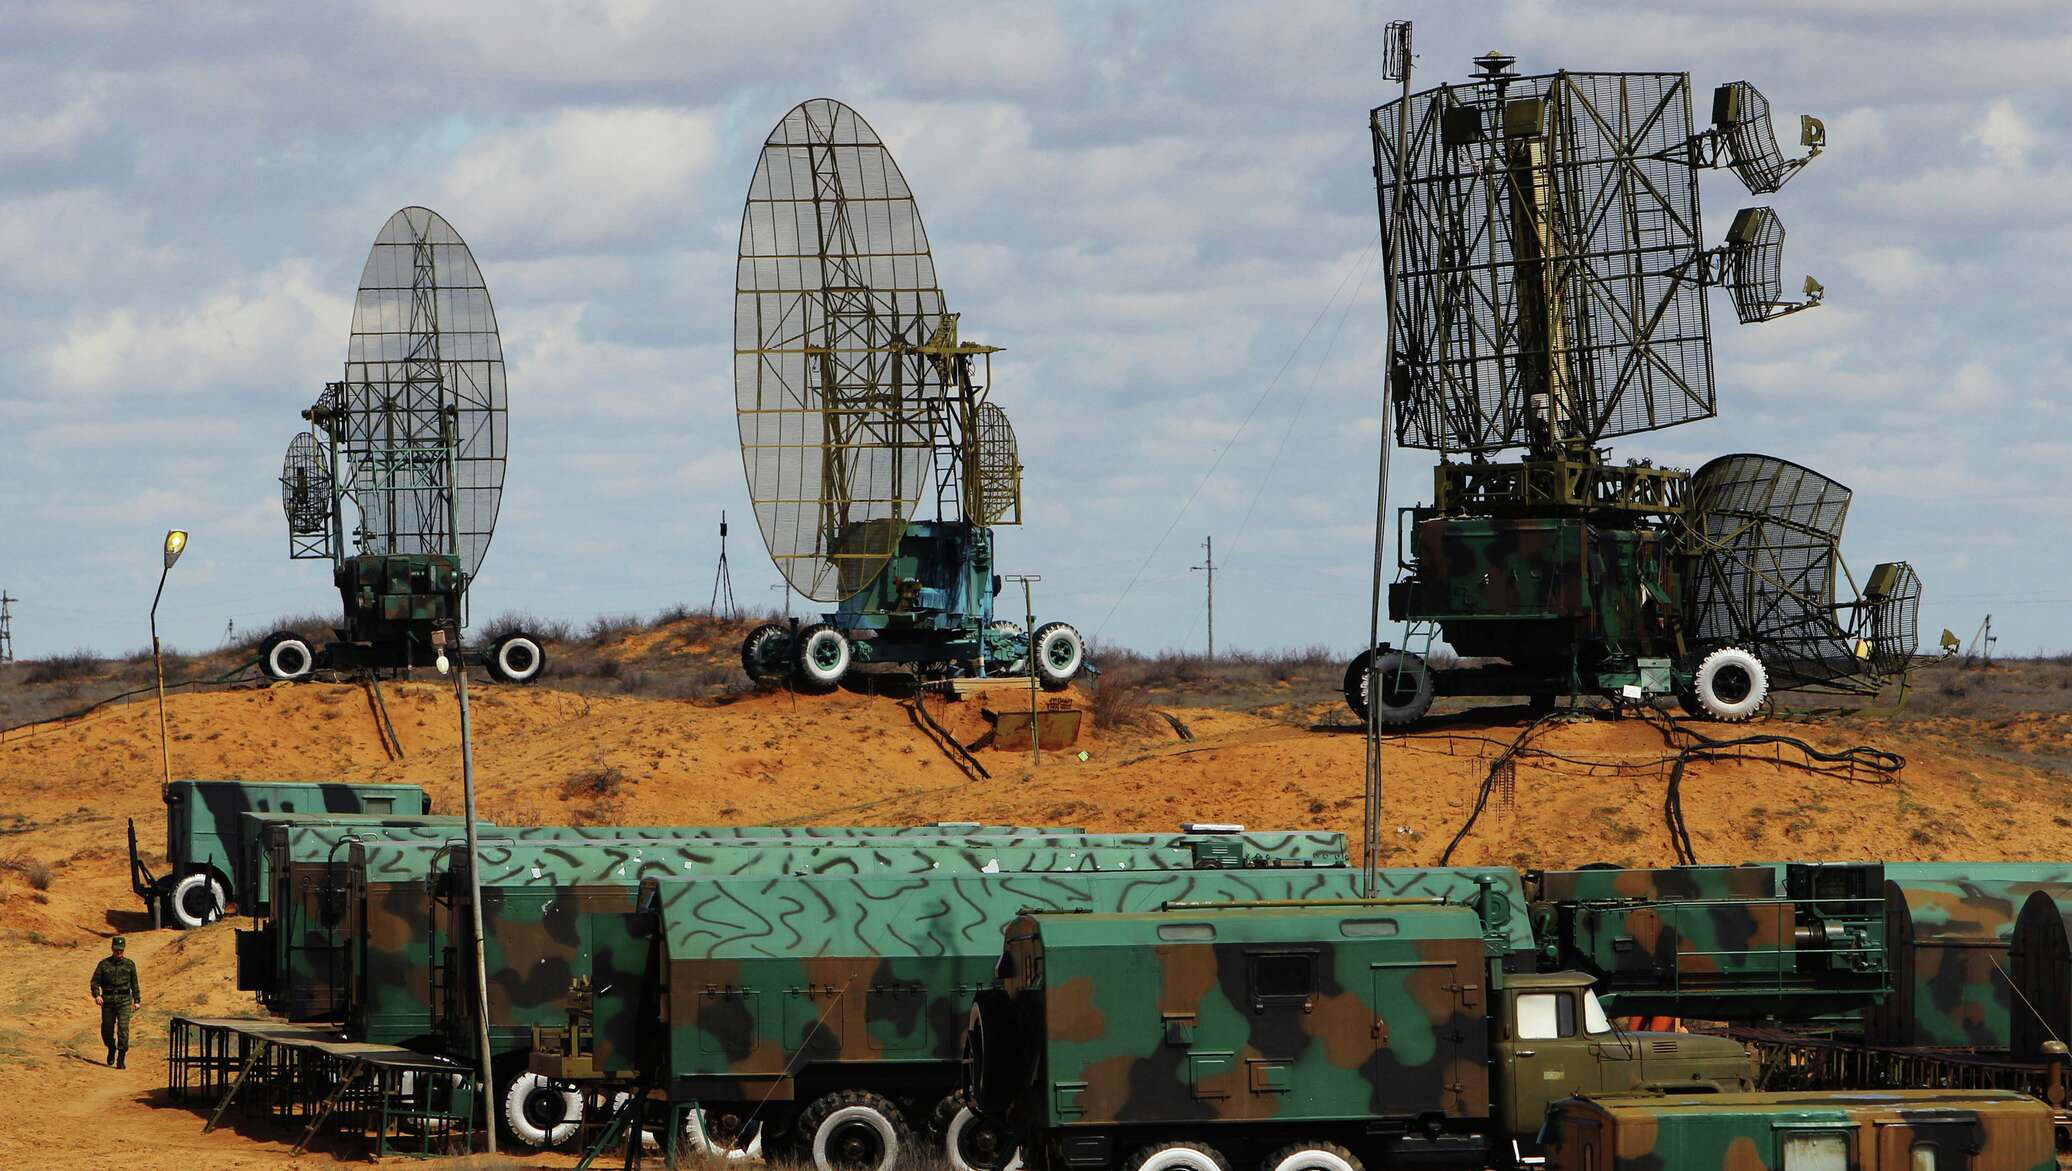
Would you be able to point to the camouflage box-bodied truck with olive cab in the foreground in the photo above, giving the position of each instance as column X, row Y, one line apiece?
column 1298, row 1037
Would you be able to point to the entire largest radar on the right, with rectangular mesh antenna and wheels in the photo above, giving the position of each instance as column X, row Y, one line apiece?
column 1547, row 295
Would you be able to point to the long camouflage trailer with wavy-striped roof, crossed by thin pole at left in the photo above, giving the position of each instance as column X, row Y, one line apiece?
column 563, row 919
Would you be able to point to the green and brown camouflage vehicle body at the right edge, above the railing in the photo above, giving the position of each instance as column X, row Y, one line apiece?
column 1951, row 940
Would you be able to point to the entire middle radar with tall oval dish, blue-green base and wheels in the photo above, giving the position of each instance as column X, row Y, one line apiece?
column 859, row 401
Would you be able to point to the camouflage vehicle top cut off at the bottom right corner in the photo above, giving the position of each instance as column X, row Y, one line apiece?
column 1891, row 1131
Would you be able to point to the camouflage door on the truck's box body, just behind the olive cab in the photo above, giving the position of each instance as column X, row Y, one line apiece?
column 1431, row 1037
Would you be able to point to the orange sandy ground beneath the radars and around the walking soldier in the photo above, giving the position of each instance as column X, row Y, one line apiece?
column 65, row 793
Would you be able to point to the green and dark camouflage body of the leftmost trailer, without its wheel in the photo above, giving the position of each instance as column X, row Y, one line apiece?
column 204, row 818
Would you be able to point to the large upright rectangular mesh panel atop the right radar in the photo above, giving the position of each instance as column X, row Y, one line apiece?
column 1549, row 283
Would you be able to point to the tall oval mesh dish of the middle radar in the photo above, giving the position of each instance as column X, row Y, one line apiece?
column 834, row 293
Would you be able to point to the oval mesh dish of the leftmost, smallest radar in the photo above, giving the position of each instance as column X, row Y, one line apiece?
column 424, row 349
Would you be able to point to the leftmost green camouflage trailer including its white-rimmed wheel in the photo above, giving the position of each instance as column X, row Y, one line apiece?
column 206, row 836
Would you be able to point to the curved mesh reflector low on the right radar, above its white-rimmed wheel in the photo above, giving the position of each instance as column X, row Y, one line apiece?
column 1764, row 571
